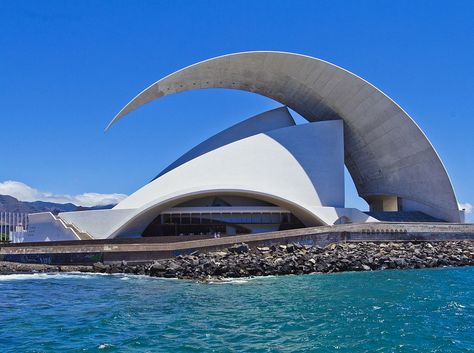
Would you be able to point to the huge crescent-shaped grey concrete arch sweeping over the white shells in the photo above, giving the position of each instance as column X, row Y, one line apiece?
column 386, row 153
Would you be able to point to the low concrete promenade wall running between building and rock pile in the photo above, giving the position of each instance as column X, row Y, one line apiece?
column 148, row 249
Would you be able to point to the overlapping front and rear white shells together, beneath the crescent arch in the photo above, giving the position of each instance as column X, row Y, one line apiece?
column 297, row 167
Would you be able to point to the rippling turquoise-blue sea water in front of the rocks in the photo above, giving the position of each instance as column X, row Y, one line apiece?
column 387, row 311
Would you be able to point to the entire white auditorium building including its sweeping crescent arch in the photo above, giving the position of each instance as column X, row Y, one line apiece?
column 267, row 173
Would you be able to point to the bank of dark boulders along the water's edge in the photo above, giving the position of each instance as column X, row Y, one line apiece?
column 242, row 261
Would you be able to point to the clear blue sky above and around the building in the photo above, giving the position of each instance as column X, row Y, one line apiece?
column 67, row 67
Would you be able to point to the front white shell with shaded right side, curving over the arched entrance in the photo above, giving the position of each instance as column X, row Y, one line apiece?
column 279, row 166
